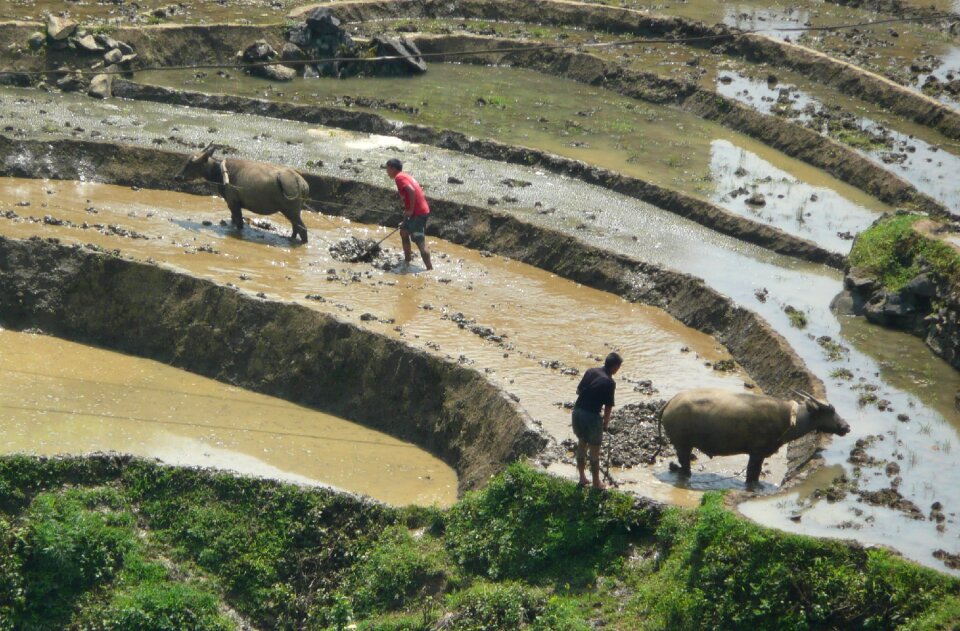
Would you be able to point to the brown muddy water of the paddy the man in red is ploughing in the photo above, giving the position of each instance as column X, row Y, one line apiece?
column 543, row 330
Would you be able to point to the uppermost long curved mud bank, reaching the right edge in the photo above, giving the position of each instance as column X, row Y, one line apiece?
column 816, row 66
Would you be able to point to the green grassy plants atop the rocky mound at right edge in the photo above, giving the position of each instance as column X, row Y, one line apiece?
column 895, row 253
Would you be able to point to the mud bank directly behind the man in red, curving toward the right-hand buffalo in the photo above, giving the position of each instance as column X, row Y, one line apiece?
column 763, row 353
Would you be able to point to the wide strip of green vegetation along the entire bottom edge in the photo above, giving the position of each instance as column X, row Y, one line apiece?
column 113, row 543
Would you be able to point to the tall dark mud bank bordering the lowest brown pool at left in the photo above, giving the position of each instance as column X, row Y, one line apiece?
column 282, row 350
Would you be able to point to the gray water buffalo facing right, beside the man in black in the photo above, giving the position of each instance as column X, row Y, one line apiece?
column 722, row 423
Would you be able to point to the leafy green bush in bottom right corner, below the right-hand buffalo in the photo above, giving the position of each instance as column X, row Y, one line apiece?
column 724, row 572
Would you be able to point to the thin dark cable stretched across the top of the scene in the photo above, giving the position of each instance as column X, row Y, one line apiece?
column 514, row 49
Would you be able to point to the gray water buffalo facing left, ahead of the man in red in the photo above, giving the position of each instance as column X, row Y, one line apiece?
column 258, row 187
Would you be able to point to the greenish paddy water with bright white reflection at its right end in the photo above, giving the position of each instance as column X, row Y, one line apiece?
column 658, row 144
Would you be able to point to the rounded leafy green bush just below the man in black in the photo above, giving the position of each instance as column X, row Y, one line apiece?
column 531, row 525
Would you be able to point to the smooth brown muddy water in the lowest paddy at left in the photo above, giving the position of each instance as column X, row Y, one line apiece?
column 57, row 397
